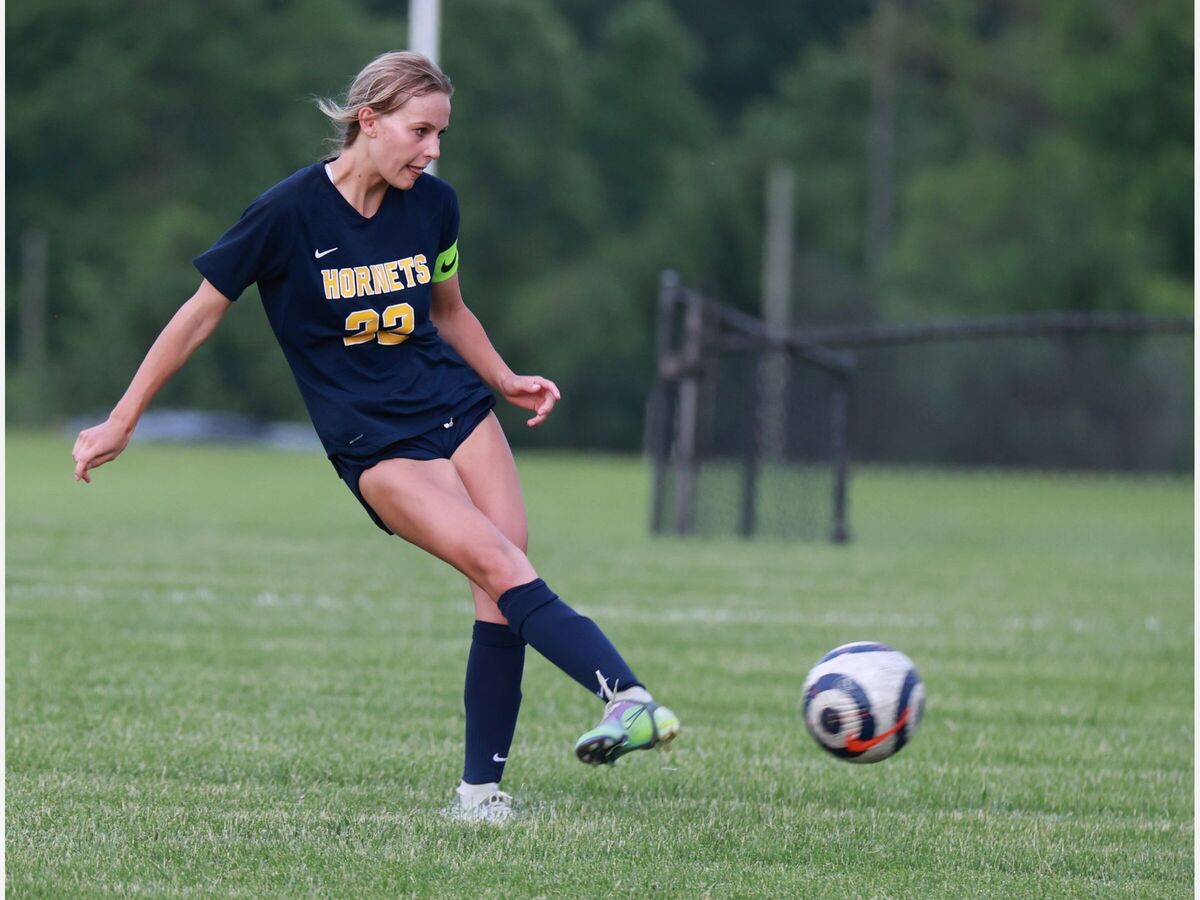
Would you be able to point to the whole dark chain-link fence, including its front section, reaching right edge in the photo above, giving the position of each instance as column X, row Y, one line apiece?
column 752, row 430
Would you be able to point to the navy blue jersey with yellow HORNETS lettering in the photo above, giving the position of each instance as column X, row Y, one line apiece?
column 349, row 299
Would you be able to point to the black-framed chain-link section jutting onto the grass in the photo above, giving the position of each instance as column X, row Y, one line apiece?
column 748, row 434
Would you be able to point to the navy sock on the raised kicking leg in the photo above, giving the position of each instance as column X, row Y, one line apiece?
column 573, row 643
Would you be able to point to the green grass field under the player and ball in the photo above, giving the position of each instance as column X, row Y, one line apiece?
column 223, row 681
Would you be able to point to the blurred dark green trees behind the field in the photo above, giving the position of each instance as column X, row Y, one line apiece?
column 952, row 157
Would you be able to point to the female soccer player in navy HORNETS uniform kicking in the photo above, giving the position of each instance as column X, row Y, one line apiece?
column 357, row 262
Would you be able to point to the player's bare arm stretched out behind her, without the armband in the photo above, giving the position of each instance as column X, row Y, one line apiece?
column 188, row 329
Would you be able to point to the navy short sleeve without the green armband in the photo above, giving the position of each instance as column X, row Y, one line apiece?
column 256, row 249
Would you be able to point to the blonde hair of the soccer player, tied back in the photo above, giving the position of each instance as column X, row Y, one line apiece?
column 385, row 85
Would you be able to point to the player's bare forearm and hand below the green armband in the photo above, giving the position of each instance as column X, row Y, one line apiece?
column 463, row 331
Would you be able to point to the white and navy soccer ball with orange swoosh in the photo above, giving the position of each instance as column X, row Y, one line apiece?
column 863, row 701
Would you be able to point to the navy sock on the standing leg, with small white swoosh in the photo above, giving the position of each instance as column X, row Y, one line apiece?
column 493, row 698
